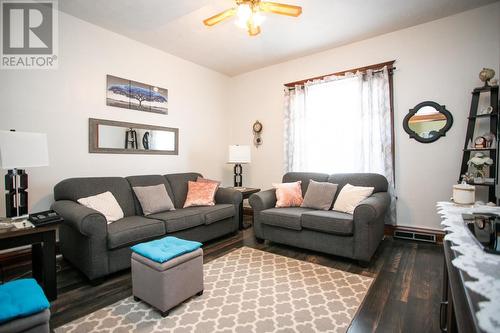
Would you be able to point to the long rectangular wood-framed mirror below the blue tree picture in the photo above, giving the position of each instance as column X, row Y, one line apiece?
column 117, row 137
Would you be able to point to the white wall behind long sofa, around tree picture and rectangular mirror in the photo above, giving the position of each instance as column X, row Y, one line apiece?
column 59, row 103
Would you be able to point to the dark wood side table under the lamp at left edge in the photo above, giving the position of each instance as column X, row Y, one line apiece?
column 43, row 253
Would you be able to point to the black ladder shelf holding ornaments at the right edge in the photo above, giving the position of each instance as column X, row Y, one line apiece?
column 494, row 124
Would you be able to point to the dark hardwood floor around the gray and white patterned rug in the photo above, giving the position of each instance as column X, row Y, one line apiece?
column 404, row 297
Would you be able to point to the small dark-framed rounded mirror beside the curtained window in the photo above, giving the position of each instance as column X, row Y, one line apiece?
column 427, row 122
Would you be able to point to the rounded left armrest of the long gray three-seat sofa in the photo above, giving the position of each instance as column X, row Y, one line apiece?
column 87, row 221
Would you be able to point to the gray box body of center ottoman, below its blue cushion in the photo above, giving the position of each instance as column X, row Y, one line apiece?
column 165, row 285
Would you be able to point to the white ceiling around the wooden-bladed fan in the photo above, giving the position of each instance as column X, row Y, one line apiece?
column 175, row 26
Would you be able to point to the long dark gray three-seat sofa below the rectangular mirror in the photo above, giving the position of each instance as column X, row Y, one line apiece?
column 98, row 249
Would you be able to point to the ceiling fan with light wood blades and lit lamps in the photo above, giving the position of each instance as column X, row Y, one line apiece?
column 248, row 14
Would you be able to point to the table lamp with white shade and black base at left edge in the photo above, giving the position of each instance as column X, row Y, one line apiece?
column 19, row 150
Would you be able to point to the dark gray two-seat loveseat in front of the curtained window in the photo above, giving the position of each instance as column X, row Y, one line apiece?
column 355, row 236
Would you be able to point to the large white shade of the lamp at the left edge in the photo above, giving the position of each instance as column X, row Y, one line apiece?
column 23, row 150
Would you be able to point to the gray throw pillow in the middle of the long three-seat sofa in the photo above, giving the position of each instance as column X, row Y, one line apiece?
column 153, row 199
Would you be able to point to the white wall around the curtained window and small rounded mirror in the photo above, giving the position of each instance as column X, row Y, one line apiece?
column 437, row 61
